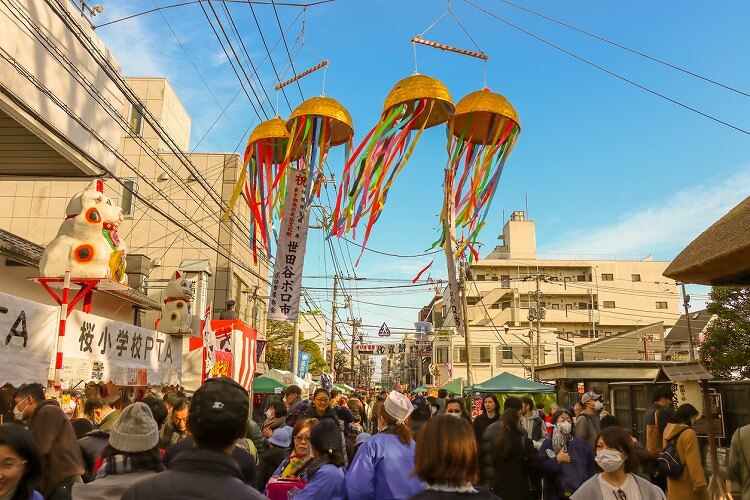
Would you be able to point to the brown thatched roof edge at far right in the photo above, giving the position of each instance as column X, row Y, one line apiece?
column 720, row 255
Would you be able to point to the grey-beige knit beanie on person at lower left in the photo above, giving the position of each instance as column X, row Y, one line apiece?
column 135, row 430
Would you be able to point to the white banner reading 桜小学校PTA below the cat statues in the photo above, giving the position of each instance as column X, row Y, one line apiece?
column 101, row 349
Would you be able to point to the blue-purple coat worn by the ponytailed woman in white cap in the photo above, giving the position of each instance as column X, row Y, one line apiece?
column 383, row 469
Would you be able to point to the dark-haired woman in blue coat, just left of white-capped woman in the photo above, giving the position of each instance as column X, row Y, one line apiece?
column 325, row 475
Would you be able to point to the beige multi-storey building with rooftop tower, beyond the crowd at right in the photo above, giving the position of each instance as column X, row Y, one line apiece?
column 581, row 300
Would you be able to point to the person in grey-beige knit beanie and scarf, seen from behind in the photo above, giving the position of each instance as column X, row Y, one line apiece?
column 132, row 455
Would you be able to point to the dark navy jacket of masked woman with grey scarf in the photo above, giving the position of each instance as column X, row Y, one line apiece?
column 575, row 473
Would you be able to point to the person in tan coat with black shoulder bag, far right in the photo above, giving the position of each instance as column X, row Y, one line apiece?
column 691, row 485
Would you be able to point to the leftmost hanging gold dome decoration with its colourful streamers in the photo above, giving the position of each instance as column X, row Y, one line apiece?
column 263, row 179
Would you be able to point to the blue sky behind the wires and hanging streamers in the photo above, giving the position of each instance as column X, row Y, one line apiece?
column 608, row 168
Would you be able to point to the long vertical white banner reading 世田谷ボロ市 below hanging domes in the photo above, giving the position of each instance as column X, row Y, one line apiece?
column 290, row 251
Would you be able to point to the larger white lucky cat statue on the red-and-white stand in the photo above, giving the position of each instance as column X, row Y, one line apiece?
column 87, row 243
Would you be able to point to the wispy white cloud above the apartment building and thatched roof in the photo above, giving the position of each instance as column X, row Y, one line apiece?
column 665, row 227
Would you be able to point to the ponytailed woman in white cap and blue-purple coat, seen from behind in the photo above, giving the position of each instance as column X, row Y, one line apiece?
column 383, row 468
